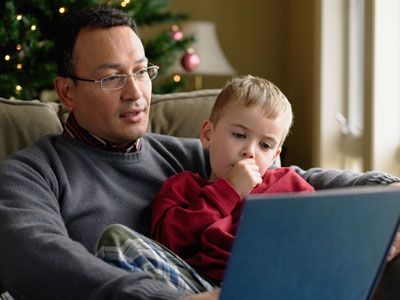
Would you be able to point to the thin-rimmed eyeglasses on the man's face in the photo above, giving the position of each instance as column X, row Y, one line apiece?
column 118, row 81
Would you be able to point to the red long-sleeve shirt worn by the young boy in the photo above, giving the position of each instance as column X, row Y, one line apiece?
column 197, row 219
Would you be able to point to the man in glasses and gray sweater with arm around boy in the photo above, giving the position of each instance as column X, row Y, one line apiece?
column 58, row 195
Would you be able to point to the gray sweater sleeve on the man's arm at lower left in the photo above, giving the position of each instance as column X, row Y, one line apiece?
column 38, row 258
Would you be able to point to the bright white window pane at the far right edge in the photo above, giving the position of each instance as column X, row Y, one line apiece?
column 383, row 122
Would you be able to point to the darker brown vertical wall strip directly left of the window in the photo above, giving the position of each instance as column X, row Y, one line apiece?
column 302, row 81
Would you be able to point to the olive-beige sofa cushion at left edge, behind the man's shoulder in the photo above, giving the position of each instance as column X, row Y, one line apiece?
column 23, row 122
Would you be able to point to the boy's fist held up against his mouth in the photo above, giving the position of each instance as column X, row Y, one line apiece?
column 244, row 176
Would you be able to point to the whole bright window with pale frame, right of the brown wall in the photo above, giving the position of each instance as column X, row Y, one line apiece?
column 359, row 73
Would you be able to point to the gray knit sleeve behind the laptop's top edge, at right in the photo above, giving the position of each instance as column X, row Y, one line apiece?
column 327, row 179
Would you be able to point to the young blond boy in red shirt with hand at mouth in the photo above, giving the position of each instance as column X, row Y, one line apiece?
column 197, row 217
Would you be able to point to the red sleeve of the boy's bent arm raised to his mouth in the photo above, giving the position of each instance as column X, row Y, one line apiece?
column 183, row 209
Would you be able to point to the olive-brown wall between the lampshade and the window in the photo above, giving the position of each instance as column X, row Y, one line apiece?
column 272, row 39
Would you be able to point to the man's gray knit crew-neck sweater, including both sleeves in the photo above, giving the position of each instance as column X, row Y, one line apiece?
column 57, row 196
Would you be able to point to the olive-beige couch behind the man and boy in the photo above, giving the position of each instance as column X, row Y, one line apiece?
column 178, row 114
